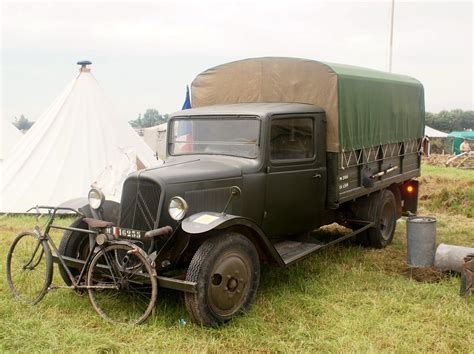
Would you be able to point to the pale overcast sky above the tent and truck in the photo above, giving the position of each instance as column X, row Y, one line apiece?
column 144, row 53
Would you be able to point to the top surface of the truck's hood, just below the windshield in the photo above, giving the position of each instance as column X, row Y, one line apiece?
column 193, row 171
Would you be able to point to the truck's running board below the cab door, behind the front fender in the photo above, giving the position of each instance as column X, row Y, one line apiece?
column 292, row 251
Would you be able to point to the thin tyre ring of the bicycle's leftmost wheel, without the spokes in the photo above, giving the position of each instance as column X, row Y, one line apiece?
column 49, row 269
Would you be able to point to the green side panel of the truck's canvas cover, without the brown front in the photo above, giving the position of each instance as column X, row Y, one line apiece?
column 377, row 108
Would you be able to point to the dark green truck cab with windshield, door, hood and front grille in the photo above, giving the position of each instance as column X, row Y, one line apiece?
column 273, row 152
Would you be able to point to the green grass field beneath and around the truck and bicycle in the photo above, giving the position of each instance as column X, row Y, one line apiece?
column 347, row 298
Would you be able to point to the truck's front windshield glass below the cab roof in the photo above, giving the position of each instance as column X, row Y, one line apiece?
column 216, row 136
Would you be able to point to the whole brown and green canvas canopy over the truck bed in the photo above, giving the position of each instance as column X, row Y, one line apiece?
column 364, row 107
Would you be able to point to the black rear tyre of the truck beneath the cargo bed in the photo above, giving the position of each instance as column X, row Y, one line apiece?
column 375, row 237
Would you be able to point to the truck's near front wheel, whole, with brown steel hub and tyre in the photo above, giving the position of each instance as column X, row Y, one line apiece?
column 226, row 269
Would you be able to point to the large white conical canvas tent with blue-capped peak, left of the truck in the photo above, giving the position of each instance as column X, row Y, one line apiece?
column 76, row 143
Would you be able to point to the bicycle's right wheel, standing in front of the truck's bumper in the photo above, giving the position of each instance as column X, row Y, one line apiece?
column 123, row 284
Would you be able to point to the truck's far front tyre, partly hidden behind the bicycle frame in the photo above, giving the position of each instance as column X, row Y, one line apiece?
column 69, row 247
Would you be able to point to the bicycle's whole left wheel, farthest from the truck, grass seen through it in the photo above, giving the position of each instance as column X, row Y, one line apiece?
column 29, row 268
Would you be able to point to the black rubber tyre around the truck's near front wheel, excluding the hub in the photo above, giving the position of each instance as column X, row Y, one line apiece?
column 201, row 267
